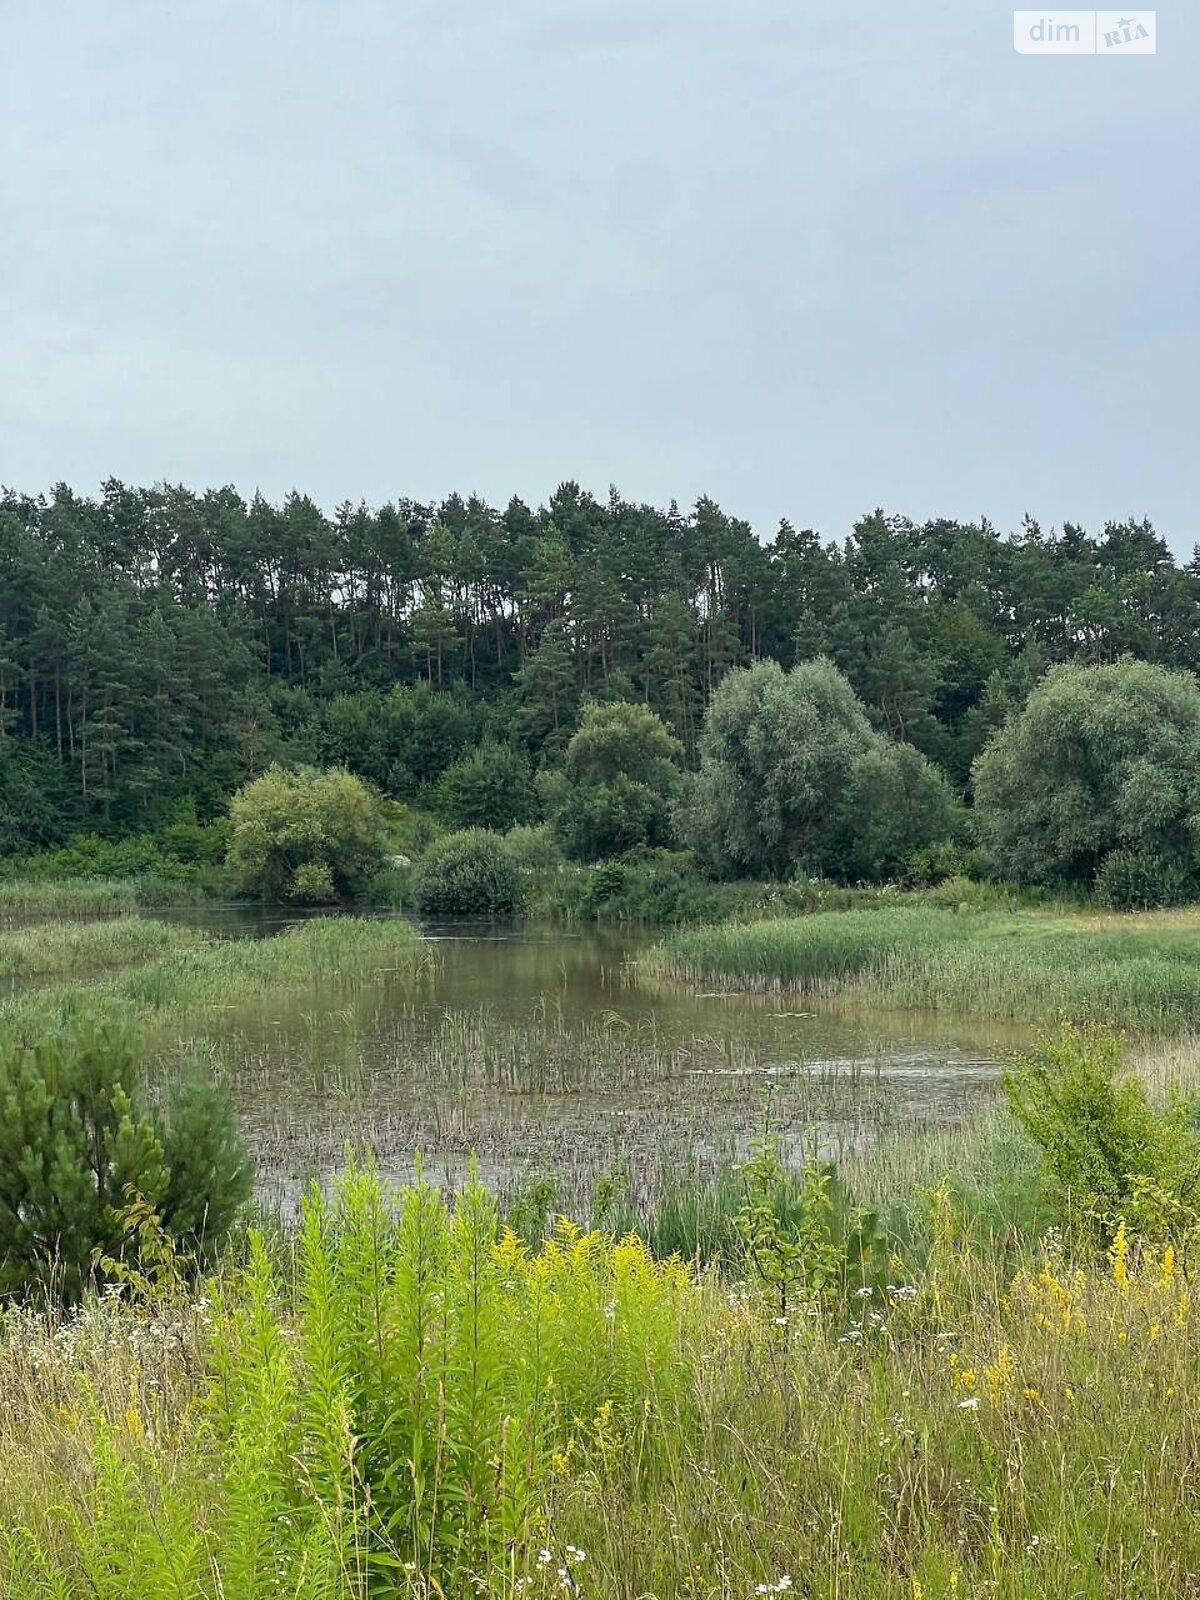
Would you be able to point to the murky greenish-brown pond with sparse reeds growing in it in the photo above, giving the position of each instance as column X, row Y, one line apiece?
column 545, row 1050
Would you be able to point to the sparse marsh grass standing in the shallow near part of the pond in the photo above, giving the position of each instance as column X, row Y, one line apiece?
column 554, row 1094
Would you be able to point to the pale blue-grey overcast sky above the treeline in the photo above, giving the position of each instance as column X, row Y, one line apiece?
column 804, row 260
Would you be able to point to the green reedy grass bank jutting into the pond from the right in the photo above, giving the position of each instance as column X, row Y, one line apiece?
column 1138, row 972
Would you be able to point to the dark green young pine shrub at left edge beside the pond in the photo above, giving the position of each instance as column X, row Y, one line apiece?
column 79, row 1145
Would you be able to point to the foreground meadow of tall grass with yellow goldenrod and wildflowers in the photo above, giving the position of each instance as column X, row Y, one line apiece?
column 417, row 1404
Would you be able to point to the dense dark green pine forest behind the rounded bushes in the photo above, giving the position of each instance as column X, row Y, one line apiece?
column 159, row 646
